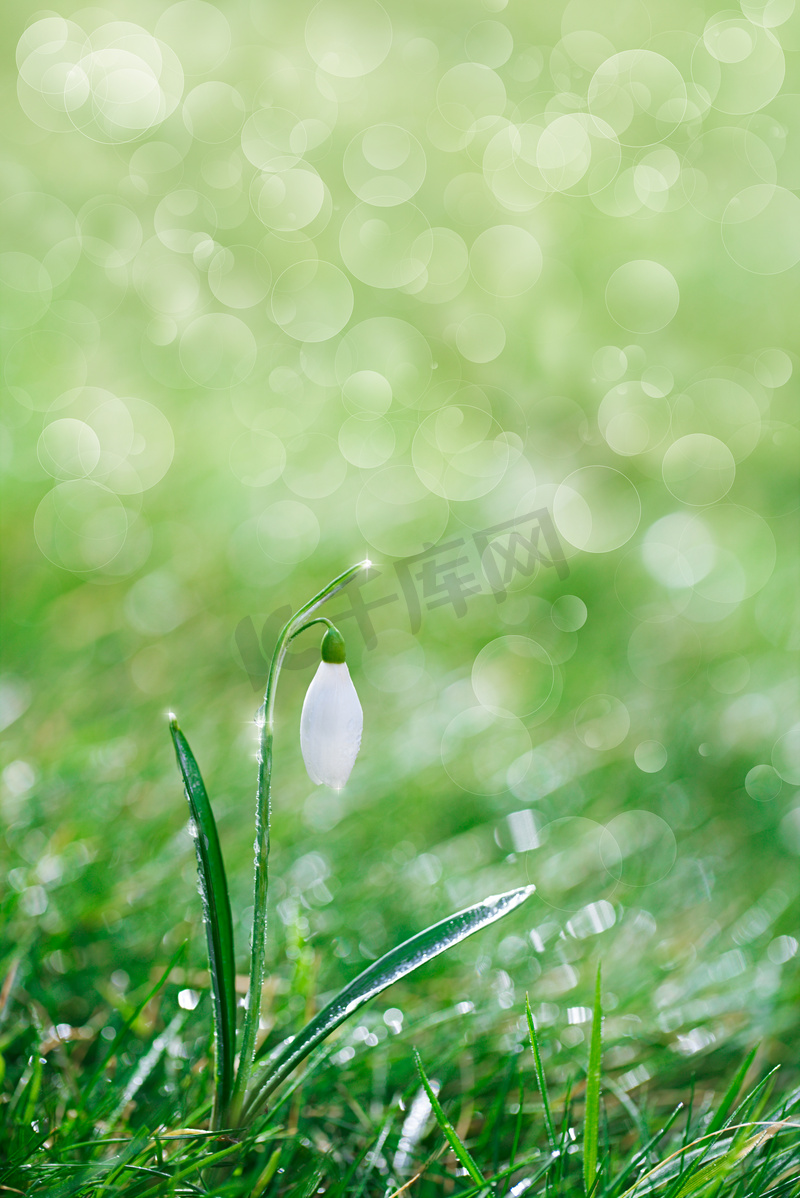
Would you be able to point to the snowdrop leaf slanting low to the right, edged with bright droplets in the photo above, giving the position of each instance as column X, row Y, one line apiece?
column 383, row 973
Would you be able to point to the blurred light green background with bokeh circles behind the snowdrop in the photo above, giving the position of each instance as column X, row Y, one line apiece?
column 290, row 286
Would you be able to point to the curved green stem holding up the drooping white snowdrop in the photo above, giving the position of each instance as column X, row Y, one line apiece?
column 295, row 626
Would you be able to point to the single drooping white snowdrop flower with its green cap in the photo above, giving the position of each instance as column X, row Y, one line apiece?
column 332, row 721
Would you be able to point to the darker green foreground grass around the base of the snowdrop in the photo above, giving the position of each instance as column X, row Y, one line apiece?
column 362, row 1121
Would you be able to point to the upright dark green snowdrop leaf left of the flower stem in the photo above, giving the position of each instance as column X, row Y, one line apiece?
column 217, row 917
